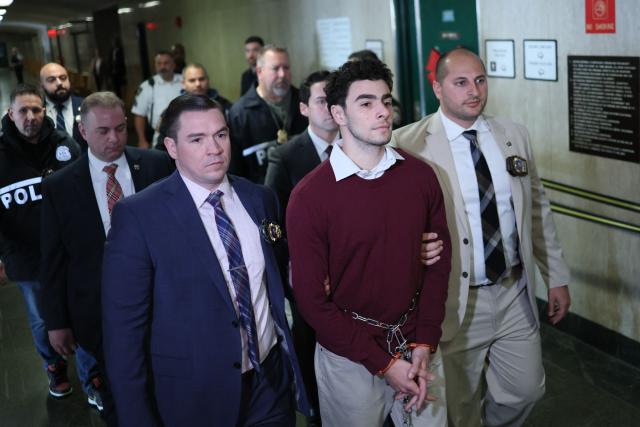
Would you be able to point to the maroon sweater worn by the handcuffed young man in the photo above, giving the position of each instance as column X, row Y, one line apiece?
column 365, row 235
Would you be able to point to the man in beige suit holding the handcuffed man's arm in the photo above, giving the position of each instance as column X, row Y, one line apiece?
column 501, row 225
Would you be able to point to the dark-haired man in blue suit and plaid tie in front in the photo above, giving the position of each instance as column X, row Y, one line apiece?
column 193, row 306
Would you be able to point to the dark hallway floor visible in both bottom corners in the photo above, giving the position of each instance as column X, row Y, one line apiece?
column 585, row 387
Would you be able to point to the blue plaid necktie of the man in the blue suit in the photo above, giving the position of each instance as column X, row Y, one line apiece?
column 239, row 276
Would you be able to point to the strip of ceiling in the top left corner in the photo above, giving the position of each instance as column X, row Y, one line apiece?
column 51, row 12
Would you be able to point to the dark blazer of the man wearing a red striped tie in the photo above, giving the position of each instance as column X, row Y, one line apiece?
column 72, row 240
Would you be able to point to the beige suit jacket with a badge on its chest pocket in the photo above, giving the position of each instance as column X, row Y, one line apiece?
column 538, row 243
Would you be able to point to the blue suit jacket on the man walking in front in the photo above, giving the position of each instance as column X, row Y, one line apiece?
column 171, row 337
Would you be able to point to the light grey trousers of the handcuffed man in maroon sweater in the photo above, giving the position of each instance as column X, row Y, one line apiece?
column 351, row 396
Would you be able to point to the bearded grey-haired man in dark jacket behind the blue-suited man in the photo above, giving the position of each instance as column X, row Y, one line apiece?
column 266, row 115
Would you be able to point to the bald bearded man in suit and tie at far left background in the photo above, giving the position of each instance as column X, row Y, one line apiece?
column 61, row 106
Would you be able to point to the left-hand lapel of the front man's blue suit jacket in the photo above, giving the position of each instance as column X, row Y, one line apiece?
column 180, row 203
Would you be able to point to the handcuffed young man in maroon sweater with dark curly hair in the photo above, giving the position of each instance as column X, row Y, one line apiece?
column 357, row 219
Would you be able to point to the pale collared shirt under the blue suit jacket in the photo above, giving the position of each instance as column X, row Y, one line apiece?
column 249, row 237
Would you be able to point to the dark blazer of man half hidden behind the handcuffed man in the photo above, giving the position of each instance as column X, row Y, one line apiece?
column 288, row 164
